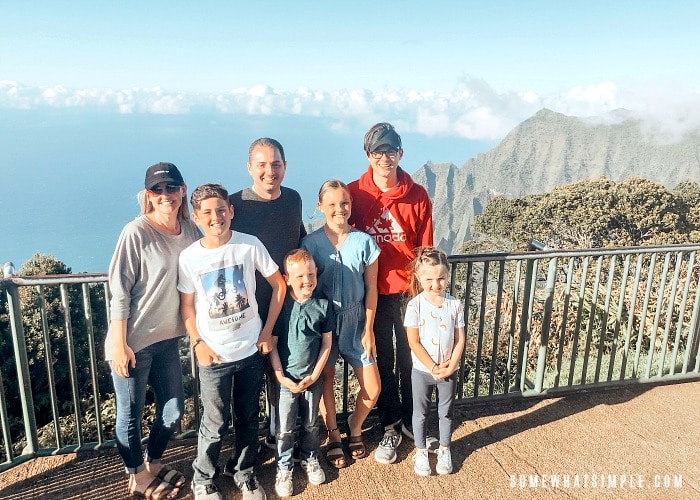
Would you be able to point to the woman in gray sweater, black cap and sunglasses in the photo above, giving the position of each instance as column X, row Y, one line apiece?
column 142, row 343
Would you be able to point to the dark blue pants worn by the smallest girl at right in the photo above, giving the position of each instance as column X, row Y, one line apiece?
column 423, row 384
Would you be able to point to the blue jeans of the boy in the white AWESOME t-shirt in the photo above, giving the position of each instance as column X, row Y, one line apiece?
column 218, row 384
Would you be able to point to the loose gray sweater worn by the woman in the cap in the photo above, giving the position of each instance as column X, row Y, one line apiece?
column 143, row 283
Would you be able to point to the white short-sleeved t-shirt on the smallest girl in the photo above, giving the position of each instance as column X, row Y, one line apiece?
column 436, row 327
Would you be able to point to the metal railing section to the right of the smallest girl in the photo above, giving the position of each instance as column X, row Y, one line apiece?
column 552, row 320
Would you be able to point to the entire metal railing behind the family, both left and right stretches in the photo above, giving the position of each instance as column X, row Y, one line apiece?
column 538, row 322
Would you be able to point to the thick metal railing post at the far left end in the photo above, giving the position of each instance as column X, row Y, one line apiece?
column 23, row 380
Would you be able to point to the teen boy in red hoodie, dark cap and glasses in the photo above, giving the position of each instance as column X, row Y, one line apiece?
column 397, row 212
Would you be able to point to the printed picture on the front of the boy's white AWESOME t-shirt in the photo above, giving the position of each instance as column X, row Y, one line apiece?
column 227, row 297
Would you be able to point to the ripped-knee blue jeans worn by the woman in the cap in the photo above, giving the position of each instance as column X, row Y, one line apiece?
column 158, row 365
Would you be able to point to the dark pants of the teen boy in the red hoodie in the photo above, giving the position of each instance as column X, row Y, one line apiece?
column 394, row 363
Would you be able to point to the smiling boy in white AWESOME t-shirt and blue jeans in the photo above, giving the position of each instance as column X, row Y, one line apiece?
column 218, row 306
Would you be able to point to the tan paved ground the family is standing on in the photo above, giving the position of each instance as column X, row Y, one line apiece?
column 632, row 442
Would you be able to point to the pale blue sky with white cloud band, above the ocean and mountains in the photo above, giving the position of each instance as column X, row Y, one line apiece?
column 442, row 68
